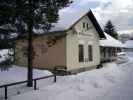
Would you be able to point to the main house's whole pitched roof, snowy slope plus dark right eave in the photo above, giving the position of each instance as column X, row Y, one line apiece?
column 69, row 18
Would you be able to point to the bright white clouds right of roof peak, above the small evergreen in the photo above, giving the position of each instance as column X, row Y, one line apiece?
column 119, row 11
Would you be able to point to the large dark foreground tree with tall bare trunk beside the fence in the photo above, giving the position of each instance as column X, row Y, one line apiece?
column 26, row 15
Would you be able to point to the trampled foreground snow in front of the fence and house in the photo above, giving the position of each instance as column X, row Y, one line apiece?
column 113, row 82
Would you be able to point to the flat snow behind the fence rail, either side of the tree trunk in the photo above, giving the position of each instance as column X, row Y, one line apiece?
column 19, row 74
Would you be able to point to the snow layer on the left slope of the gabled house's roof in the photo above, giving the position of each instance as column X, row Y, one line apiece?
column 66, row 20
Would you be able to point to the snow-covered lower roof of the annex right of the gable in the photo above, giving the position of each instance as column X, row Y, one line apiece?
column 110, row 42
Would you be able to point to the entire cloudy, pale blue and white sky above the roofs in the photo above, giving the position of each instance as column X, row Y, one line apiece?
column 120, row 12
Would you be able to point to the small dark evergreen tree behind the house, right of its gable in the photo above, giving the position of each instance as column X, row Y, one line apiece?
column 109, row 28
